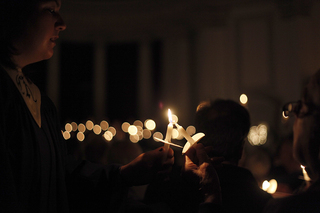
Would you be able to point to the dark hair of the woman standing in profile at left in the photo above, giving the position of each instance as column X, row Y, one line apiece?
column 14, row 18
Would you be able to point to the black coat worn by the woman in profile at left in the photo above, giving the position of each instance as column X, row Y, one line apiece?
column 36, row 174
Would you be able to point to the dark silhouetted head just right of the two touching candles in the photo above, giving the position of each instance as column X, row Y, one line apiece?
column 225, row 124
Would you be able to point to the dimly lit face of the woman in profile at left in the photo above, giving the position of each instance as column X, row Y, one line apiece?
column 42, row 33
